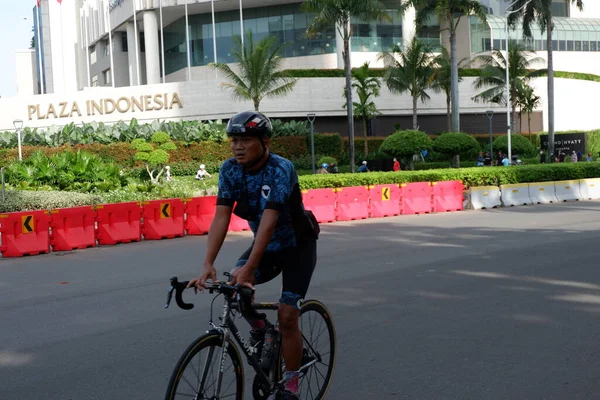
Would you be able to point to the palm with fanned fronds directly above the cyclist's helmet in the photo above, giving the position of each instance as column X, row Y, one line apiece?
column 259, row 75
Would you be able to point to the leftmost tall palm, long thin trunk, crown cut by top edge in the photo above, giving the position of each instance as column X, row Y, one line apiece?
column 339, row 13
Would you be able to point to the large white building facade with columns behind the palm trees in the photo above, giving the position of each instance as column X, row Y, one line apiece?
column 151, row 53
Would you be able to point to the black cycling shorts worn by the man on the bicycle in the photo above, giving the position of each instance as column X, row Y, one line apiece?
column 297, row 265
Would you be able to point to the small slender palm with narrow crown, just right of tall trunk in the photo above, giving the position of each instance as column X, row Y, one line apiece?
column 367, row 87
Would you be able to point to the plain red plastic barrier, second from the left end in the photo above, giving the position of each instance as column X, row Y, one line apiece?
column 73, row 228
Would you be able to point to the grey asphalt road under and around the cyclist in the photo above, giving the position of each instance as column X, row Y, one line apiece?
column 496, row 304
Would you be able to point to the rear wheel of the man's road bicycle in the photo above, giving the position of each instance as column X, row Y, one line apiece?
column 319, row 348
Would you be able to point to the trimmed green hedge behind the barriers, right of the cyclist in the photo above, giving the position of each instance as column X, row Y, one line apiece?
column 479, row 176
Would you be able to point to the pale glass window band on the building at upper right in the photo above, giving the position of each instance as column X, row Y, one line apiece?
column 570, row 34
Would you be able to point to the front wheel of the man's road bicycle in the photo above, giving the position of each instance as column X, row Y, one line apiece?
column 196, row 374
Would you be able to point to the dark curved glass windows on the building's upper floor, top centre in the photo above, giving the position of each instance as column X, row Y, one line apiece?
column 287, row 22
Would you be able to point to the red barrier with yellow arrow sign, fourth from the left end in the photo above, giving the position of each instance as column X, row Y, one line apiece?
column 162, row 219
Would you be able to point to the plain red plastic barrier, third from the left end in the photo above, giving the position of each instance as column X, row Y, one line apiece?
column 119, row 223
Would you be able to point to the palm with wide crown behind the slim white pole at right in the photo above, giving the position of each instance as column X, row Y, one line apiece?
column 493, row 76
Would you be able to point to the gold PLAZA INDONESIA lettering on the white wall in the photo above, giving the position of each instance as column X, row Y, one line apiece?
column 89, row 108
